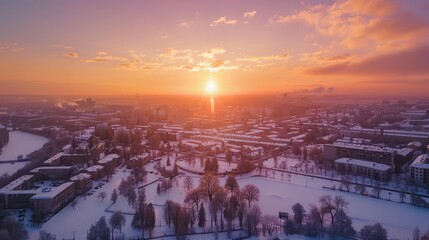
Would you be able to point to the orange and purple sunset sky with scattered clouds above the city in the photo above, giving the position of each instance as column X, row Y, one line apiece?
column 377, row 47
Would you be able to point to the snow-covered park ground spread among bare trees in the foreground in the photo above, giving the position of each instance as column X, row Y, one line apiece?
column 276, row 195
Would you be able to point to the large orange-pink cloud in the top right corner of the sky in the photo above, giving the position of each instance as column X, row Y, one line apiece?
column 357, row 23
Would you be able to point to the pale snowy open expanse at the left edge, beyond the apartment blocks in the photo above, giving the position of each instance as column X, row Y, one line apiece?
column 20, row 143
